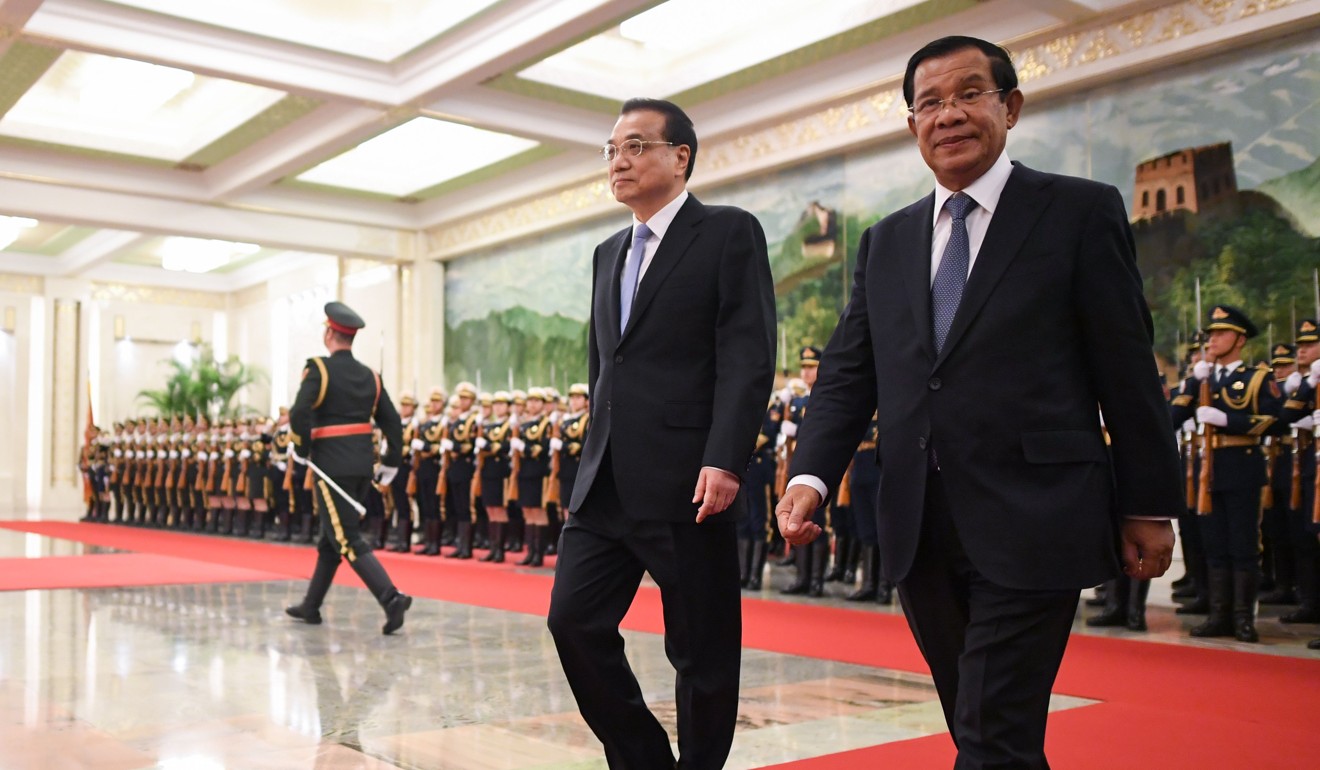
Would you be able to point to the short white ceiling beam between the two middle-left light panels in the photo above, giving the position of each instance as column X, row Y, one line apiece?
column 317, row 137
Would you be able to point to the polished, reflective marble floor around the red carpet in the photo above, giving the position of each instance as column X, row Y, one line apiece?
column 216, row 677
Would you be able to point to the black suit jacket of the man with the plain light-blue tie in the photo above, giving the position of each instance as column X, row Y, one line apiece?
column 686, row 384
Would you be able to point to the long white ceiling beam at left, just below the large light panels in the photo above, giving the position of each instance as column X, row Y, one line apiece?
column 127, row 212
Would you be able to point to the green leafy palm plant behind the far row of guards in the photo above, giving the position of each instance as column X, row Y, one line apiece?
column 204, row 386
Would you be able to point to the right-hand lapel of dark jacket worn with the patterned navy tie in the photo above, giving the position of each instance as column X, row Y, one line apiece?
column 1021, row 205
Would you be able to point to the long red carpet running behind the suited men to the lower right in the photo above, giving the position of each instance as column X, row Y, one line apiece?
column 1164, row 706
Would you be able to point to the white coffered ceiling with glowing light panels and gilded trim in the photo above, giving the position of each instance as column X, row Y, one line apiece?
column 213, row 146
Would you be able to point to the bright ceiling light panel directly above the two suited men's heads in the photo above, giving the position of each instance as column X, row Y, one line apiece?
column 683, row 44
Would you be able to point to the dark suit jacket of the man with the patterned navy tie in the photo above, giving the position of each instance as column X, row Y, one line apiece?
column 1051, row 328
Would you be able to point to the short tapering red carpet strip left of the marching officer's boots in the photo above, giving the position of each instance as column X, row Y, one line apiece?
column 118, row 571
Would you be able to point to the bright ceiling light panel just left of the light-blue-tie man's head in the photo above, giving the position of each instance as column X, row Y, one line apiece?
column 414, row 157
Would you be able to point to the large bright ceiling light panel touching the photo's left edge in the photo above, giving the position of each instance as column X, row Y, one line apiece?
column 130, row 108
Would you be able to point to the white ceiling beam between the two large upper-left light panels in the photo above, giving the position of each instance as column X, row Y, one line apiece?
column 211, row 51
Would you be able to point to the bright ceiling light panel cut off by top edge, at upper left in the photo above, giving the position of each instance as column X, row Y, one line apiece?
column 381, row 31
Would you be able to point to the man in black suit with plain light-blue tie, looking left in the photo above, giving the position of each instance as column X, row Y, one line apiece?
column 682, row 357
